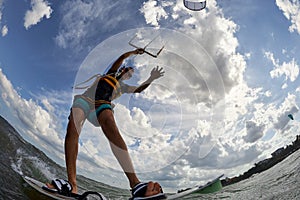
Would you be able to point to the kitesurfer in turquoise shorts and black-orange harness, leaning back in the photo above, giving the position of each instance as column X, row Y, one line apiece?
column 95, row 106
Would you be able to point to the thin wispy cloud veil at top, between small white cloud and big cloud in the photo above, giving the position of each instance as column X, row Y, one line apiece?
column 81, row 19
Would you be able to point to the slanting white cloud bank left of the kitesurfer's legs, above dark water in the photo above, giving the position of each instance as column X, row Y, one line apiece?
column 34, row 123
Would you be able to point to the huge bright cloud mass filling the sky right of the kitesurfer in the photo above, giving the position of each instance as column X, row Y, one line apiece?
column 211, row 101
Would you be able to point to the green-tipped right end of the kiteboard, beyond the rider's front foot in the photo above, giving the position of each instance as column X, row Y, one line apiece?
column 209, row 187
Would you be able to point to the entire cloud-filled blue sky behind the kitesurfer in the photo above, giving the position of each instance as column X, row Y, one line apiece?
column 232, row 77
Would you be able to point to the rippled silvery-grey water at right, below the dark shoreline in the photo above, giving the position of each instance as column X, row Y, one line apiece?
column 282, row 181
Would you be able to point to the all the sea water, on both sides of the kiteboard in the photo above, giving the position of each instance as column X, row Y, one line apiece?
column 18, row 158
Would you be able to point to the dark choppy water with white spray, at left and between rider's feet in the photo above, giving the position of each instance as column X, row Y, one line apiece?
column 19, row 158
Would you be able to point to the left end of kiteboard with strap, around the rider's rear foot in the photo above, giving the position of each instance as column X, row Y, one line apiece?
column 37, row 185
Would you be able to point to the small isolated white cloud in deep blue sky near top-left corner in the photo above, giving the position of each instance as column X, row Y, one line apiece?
column 39, row 10
